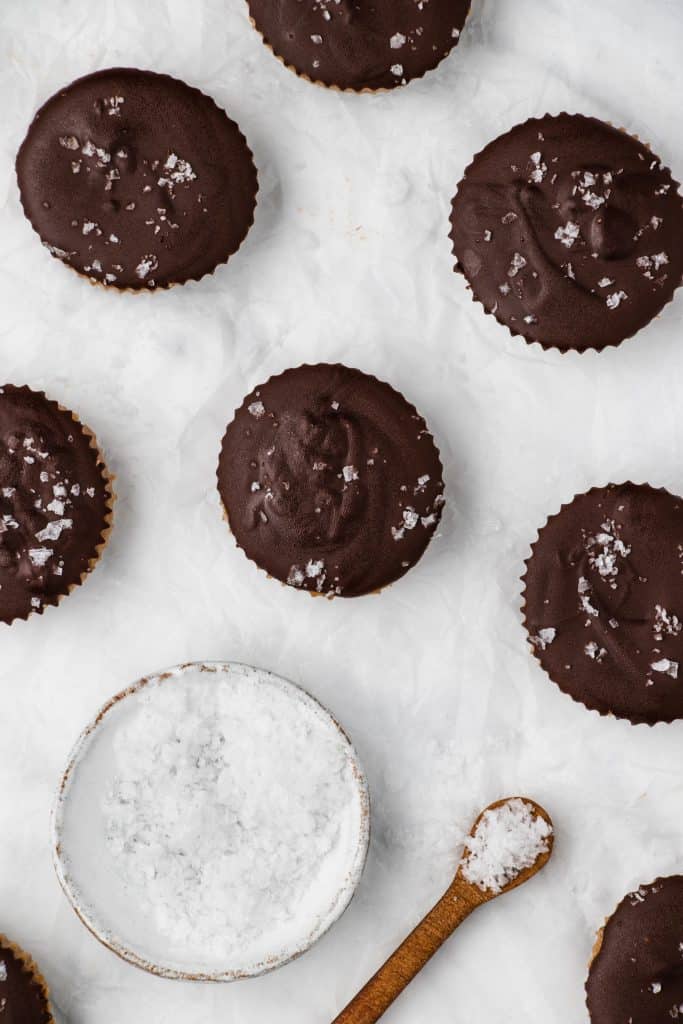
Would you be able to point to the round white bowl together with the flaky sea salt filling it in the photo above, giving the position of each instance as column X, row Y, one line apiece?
column 212, row 823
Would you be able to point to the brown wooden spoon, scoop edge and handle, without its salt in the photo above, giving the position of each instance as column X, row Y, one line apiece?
column 458, row 903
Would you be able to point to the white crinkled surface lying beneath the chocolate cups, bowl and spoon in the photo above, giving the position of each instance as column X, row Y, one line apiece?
column 349, row 261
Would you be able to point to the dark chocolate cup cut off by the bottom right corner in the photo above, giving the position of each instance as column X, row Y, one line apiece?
column 637, row 974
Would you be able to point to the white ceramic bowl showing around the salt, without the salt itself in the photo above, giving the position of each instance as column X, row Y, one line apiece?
column 89, row 875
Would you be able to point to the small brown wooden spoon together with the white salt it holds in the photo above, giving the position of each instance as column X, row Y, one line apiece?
column 508, row 844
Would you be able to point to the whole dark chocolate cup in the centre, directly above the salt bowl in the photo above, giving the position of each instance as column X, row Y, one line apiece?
column 331, row 481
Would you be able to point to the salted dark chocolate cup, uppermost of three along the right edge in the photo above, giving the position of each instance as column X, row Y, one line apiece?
column 570, row 233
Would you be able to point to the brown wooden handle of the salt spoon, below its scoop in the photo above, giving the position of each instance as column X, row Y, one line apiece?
column 376, row 998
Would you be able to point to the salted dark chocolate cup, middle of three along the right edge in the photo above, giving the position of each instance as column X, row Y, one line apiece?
column 605, row 602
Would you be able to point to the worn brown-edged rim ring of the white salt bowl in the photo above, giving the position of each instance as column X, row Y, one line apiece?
column 78, row 754
